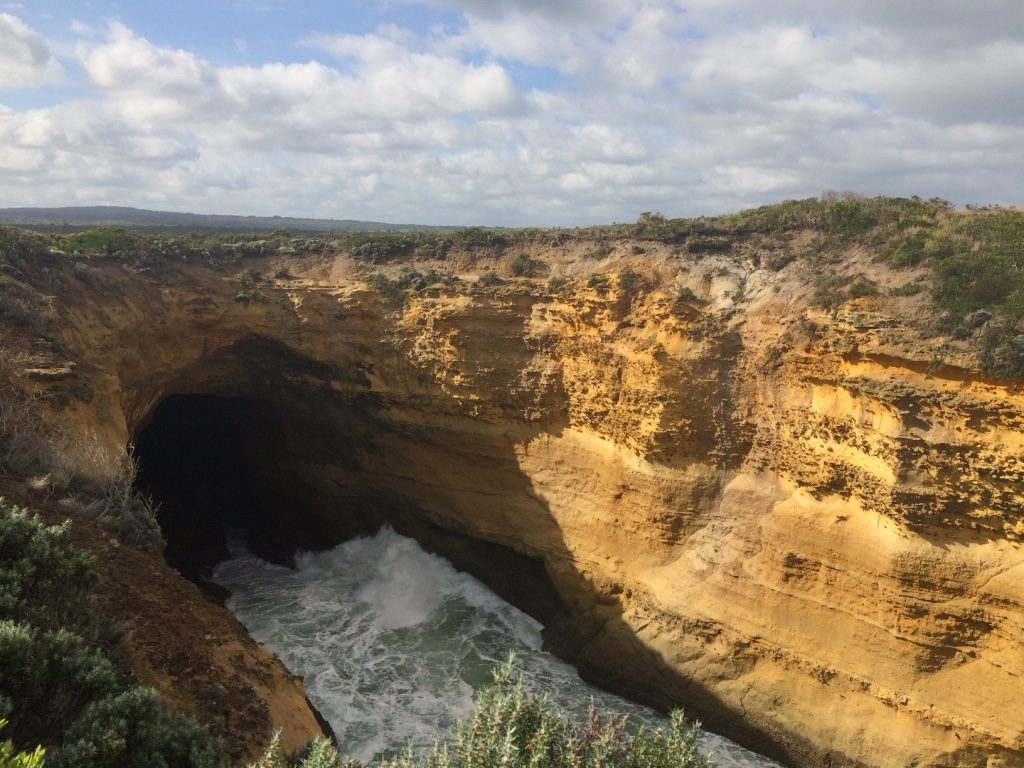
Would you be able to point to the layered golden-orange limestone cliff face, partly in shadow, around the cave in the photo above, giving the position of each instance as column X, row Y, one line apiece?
column 794, row 523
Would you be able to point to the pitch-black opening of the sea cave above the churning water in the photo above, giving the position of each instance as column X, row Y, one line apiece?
column 203, row 460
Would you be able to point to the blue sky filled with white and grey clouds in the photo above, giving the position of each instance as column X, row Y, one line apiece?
column 507, row 112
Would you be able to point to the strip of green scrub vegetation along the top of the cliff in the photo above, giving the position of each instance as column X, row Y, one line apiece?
column 975, row 258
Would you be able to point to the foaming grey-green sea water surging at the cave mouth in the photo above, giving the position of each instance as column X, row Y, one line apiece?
column 393, row 642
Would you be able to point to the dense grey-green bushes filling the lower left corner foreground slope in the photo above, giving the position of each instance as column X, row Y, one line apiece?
column 57, row 686
